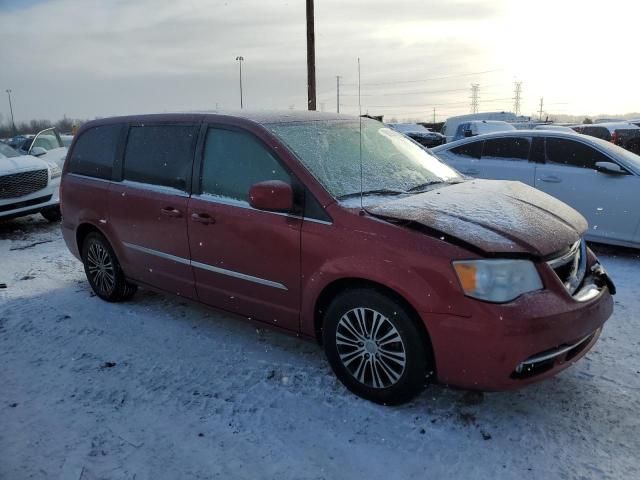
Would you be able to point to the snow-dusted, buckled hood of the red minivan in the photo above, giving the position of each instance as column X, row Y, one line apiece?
column 493, row 216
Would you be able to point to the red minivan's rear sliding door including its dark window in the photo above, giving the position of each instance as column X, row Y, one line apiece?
column 148, row 208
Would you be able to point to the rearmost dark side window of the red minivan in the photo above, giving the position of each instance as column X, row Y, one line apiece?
column 94, row 152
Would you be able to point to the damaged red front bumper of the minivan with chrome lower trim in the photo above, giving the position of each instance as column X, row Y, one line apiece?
column 502, row 347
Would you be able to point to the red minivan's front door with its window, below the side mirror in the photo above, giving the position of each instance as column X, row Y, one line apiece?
column 244, row 260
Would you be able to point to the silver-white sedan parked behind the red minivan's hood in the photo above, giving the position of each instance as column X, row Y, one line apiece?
column 596, row 177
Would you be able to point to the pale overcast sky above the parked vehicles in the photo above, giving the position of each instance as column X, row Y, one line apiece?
column 88, row 58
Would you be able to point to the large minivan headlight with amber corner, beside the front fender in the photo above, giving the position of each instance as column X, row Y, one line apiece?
column 497, row 280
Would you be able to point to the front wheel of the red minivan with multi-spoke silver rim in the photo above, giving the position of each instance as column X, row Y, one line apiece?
column 374, row 382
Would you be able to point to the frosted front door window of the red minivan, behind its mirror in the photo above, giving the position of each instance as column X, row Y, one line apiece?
column 235, row 160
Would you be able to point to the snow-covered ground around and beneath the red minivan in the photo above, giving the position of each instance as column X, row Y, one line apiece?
column 160, row 389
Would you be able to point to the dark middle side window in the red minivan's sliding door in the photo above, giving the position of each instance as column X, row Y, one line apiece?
column 160, row 154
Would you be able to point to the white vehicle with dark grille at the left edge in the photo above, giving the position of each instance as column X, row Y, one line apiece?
column 28, row 185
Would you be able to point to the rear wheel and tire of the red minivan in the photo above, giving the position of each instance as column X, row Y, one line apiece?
column 103, row 270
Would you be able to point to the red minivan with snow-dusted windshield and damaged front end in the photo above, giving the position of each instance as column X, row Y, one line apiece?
column 338, row 229
